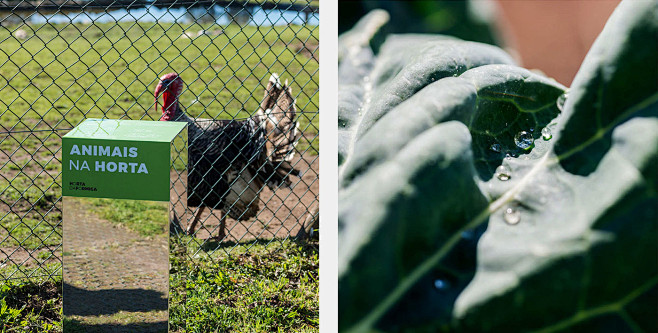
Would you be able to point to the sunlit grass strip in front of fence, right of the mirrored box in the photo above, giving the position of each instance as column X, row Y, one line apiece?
column 258, row 291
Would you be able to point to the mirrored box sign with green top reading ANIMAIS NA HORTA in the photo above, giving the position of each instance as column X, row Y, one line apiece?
column 110, row 268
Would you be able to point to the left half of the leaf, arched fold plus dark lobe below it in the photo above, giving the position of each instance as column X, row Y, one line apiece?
column 414, row 157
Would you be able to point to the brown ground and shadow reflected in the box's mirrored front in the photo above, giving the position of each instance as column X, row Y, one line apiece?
column 113, row 277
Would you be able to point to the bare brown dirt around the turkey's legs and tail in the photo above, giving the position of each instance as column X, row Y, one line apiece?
column 282, row 212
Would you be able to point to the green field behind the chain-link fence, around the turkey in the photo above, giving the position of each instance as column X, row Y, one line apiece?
column 62, row 74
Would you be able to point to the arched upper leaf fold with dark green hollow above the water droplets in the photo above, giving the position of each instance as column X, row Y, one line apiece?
column 495, row 101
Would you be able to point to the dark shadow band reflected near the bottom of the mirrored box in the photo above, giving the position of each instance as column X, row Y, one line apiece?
column 83, row 302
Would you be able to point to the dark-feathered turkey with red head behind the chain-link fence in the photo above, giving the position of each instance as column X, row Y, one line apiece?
column 229, row 161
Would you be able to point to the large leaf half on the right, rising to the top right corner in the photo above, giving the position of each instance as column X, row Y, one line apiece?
column 589, row 251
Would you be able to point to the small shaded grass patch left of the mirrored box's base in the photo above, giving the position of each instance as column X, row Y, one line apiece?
column 31, row 306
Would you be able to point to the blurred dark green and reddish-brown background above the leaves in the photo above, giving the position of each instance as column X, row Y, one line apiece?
column 551, row 36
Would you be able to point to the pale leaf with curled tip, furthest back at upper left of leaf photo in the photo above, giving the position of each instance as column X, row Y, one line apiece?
column 371, row 86
